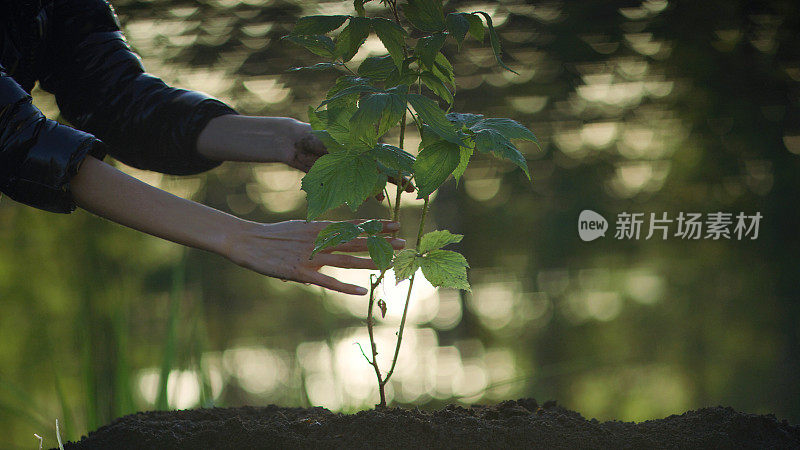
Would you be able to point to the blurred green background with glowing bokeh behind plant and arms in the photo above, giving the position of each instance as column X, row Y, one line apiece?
column 640, row 107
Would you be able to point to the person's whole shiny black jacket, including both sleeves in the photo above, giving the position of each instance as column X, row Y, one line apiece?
column 75, row 50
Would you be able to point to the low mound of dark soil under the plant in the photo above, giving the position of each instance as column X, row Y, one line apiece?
column 511, row 424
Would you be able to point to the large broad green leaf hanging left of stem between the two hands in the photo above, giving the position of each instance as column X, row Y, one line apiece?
column 337, row 178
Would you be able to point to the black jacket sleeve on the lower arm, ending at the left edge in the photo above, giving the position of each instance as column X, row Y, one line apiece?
column 38, row 156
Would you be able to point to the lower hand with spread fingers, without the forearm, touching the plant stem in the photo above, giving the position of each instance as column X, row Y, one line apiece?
column 282, row 250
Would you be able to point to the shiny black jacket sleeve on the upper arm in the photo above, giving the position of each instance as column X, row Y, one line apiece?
column 101, row 87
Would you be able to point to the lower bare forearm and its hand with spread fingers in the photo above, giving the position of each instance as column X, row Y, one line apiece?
column 279, row 250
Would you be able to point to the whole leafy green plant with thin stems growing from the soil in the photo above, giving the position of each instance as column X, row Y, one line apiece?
column 364, row 104
